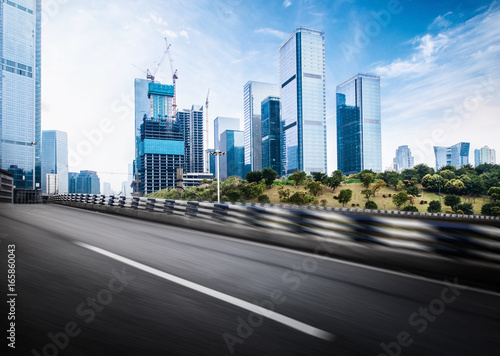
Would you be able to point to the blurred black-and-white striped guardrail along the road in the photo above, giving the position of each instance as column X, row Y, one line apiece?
column 481, row 242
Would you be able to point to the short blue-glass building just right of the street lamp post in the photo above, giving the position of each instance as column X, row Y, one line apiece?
column 233, row 162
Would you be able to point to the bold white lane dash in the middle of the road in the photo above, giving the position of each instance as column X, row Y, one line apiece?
column 310, row 330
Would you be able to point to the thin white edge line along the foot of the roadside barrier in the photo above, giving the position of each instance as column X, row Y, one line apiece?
column 297, row 252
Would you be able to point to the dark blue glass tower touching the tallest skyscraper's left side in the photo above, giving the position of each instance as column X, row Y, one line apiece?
column 271, row 134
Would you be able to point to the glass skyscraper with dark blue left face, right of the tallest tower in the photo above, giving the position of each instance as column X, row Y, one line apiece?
column 359, row 141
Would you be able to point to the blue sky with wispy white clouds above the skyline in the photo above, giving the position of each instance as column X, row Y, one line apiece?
column 439, row 64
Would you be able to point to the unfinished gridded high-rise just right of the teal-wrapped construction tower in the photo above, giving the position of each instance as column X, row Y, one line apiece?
column 191, row 122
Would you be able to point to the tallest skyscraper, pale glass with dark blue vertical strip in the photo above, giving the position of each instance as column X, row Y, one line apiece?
column 303, row 108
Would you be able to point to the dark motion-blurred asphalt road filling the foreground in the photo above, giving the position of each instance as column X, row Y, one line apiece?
column 88, row 283
